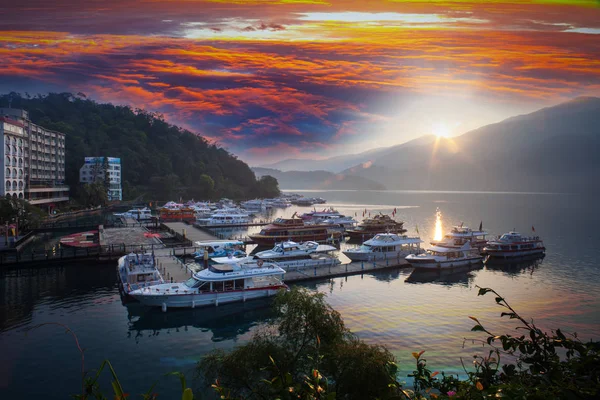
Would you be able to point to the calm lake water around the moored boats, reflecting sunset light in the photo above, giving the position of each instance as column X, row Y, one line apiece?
column 402, row 311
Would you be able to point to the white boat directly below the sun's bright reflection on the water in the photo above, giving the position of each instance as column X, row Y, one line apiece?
column 437, row 257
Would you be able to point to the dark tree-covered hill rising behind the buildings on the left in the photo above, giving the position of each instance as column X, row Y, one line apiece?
column 159, row 161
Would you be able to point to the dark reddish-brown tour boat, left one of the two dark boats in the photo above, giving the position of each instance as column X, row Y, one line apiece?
column 293, row 229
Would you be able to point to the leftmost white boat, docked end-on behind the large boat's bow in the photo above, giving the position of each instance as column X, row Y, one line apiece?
column 136, row 271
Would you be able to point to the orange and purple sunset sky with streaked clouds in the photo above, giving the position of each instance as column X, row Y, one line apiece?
column 276, row 79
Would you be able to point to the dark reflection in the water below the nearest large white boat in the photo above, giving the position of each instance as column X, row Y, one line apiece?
column 226, row 322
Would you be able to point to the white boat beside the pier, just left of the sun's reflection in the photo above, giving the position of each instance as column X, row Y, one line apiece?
column 385, row 246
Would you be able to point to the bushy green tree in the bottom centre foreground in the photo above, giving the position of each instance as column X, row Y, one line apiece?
column 307, row 335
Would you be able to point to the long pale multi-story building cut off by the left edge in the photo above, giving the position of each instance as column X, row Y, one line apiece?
column 33, row 160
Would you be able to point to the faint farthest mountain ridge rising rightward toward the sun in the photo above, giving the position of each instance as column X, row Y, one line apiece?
column 340, row 163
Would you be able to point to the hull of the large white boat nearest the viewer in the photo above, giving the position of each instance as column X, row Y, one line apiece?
column 206, row 299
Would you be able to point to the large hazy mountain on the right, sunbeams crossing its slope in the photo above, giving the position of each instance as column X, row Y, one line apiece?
column 552, row 149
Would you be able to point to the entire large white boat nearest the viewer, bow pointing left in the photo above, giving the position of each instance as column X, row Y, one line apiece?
column 218, row 284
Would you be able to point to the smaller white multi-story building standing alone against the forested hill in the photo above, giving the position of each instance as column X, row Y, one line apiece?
column 95, row 169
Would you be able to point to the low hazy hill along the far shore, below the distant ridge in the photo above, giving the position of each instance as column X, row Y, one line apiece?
column 302, row 180
